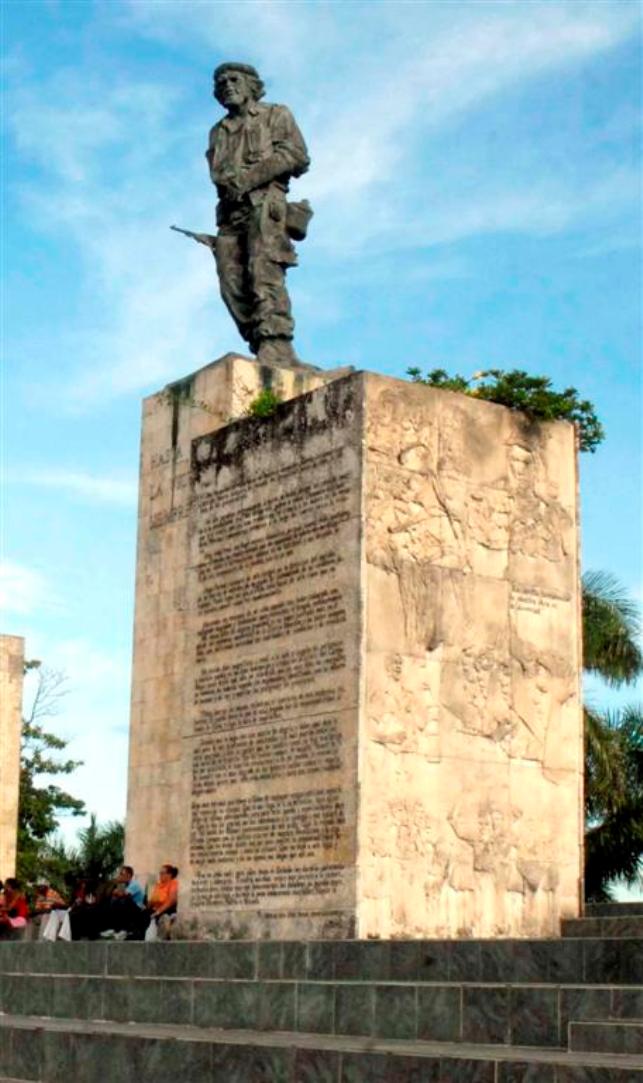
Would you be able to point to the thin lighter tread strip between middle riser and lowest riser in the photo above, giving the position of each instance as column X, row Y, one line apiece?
column 336, row 1043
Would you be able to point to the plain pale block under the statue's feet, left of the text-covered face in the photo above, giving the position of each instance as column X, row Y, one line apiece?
column 160, row 793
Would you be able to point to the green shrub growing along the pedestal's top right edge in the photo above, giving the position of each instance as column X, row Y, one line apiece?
column 532, row 395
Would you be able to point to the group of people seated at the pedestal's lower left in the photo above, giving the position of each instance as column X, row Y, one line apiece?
column 117, row 910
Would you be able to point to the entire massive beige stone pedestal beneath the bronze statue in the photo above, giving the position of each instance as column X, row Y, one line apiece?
column 357, row 701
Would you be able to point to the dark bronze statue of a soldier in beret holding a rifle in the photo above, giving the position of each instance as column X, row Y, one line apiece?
column 253, row 154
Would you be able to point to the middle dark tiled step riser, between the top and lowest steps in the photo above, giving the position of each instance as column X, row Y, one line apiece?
column 515, row 1014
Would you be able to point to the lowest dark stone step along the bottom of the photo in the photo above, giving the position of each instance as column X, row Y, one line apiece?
column 68, row 1050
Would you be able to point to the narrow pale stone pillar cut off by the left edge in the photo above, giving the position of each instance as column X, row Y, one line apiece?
column 12, row 661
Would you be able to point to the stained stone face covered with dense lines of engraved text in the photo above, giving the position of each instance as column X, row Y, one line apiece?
column 275, row 572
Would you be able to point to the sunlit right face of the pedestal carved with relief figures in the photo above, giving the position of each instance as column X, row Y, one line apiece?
column 471, row 755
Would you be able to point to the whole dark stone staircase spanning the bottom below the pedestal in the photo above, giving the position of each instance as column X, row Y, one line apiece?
column 568, row 1011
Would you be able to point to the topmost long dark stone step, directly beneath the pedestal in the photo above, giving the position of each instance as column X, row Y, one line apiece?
column 573, row 961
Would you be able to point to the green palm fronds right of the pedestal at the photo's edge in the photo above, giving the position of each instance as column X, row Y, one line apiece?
column 614, row 740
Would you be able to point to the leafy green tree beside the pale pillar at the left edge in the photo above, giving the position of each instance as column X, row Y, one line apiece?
column 42, row 803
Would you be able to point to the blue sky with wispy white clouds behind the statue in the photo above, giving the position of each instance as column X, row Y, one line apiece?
column 476, row 181
